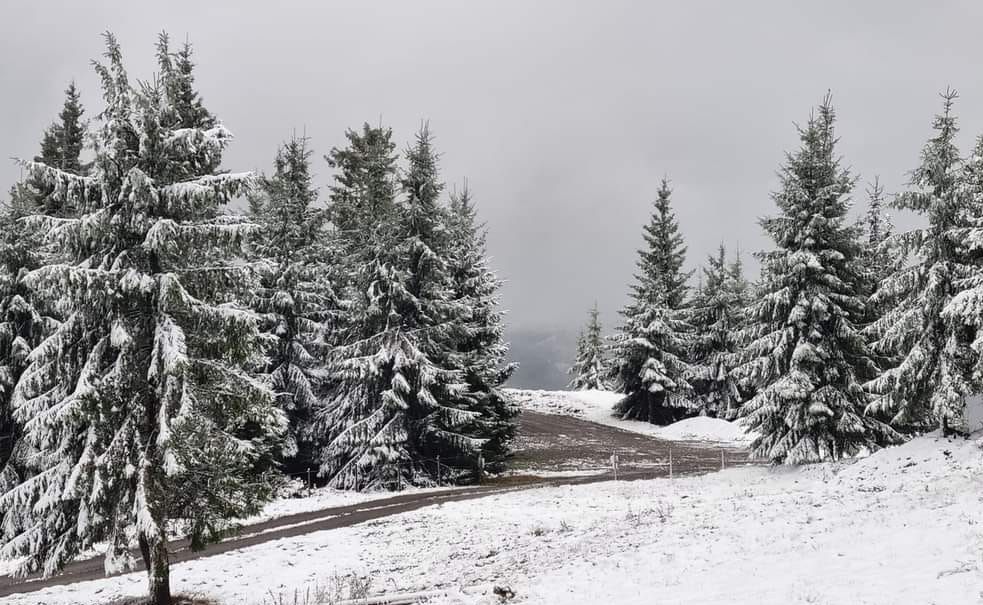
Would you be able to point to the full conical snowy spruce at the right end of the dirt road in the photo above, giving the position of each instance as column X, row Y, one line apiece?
column 807, row 358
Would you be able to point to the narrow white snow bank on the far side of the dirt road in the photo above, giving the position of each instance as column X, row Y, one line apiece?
column 596, row 407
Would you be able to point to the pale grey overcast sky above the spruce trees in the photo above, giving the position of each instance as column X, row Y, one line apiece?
column 563, row 116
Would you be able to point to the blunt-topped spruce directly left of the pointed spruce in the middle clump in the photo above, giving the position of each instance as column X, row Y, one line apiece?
column 365, row 178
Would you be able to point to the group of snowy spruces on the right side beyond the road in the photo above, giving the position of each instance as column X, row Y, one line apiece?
column 853, row 335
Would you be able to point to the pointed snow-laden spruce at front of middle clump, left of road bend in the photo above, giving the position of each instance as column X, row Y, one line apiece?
column 394, row 406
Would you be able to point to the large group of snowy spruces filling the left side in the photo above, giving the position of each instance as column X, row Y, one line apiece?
column 163, row 361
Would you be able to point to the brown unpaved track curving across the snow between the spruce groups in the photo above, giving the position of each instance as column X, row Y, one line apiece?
column 547, row 442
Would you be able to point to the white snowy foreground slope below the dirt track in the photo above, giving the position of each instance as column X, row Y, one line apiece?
column 904, row 525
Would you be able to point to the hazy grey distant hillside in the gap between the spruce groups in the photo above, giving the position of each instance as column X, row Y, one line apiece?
column 544, row 356
